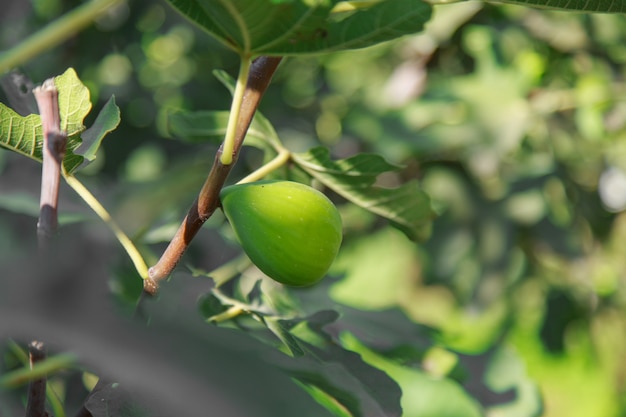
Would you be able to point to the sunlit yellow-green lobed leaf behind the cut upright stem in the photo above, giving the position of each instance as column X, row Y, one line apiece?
column 24, row 135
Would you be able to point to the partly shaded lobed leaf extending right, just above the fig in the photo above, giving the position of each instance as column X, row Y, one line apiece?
column 407, row 206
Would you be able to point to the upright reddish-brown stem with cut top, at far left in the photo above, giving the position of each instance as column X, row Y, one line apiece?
column 53, row 150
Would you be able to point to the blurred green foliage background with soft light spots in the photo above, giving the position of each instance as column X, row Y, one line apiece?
column 514, row 120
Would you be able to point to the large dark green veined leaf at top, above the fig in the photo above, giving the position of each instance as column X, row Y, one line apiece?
column 268, row 27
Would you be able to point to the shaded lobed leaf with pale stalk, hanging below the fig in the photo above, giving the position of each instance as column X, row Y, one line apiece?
column 330, row 373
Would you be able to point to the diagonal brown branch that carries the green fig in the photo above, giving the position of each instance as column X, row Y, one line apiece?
column 261, row 73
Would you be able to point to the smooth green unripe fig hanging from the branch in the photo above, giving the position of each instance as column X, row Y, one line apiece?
column 290, row 231
